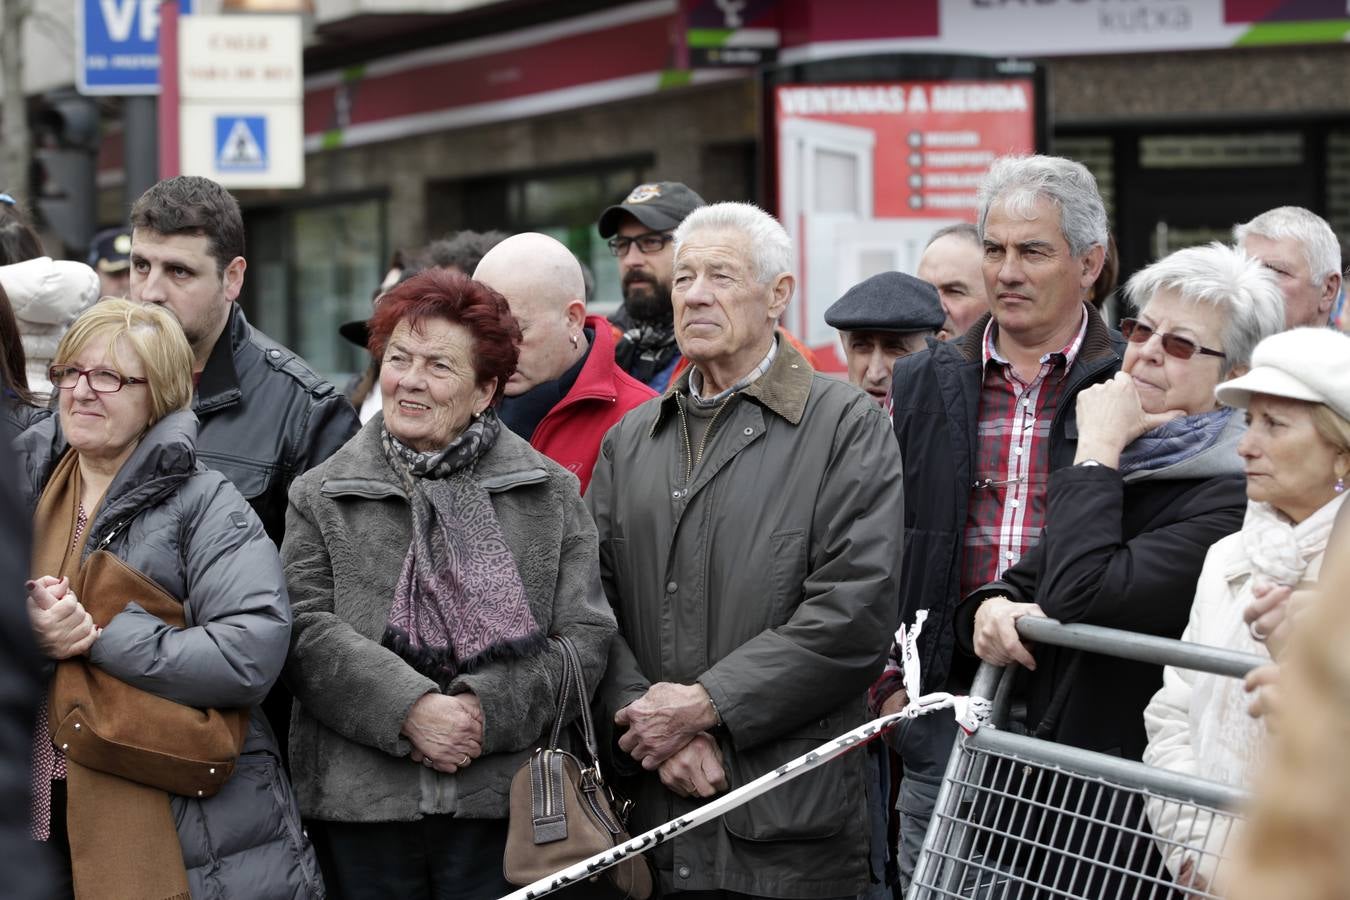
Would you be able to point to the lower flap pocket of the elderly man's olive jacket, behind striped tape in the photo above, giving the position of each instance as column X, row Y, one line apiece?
column 815, row 806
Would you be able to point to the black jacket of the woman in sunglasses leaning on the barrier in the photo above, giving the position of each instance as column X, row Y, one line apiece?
column 1125, row 554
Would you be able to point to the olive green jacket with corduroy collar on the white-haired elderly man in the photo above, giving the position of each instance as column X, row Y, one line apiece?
column 772, row 581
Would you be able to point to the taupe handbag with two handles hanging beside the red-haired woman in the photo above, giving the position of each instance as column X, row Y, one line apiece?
column 561, row 809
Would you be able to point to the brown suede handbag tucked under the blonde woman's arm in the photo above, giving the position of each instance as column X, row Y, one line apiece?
column 110, row 727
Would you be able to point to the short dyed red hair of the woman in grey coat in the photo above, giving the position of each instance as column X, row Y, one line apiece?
column 481, row 311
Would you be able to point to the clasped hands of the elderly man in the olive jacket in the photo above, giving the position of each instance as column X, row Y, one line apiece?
column 668, row 732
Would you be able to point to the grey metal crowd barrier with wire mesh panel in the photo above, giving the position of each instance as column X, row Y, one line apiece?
column 1023, row 818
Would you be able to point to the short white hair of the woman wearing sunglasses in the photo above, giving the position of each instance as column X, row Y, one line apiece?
column 1245, row 292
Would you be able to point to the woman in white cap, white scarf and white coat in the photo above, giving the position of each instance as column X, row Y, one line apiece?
column 1297, row 451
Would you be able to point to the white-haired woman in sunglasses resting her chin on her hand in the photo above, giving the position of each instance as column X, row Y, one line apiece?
column 1156, row 480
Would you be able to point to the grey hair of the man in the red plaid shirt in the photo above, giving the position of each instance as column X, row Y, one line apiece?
column 1017, row 183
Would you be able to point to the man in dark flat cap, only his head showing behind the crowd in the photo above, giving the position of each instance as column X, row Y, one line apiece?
column 881, row 320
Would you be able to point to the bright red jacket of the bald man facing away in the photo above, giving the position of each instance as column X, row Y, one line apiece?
column 570, row 434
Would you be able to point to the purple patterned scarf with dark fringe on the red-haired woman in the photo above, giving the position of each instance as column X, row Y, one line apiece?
column 460, row 601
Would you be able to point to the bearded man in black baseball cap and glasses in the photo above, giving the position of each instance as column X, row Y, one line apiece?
column 641, row 233
